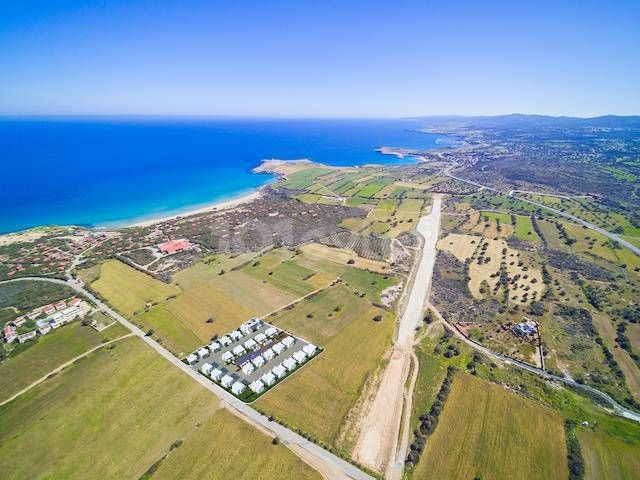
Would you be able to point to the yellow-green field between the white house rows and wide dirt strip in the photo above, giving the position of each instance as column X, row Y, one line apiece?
column 318, row 398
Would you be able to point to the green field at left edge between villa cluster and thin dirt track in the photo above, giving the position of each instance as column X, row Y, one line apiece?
column 49, row 352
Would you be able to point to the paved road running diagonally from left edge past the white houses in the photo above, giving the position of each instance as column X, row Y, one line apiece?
column 286, row 436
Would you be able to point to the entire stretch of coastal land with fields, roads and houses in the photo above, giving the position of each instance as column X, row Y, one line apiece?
column 470, row 314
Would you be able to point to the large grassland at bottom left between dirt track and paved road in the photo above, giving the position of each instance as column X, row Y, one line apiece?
column 117, row 412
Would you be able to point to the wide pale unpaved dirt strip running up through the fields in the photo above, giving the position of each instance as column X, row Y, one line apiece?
column 377, row 442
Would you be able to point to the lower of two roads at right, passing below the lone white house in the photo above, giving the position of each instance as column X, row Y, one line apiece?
column 617, row 408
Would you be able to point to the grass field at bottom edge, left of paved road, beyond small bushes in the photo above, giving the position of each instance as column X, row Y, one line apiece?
column 200, row 456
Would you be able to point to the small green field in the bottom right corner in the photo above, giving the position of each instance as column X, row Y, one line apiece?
column 608, row 457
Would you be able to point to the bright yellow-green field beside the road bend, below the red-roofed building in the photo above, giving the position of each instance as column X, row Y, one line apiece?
column 129, row 290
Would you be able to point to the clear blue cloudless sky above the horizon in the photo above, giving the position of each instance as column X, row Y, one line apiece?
column 319, row 58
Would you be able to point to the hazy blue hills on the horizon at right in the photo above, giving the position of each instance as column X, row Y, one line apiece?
column 518, row 120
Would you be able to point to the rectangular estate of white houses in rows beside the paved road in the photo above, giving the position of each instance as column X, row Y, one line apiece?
column 252, row 359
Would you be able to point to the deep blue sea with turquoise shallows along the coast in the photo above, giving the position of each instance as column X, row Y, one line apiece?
column 97, row 172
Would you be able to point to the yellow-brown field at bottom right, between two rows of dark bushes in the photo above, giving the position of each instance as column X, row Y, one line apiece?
column 486, row 431
